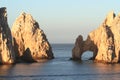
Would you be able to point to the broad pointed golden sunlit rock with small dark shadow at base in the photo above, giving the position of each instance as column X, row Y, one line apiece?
column 30, row 42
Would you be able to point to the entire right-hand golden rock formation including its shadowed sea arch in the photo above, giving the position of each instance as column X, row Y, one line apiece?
column 104, row 41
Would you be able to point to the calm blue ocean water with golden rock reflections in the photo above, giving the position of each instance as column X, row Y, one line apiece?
column 61, row 68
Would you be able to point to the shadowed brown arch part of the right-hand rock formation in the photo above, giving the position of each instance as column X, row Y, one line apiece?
column 83, row 46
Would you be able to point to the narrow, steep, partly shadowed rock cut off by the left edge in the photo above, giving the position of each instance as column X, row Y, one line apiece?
column 6, row 48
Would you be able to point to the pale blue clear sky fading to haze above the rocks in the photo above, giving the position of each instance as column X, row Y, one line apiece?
column 63, row 20
